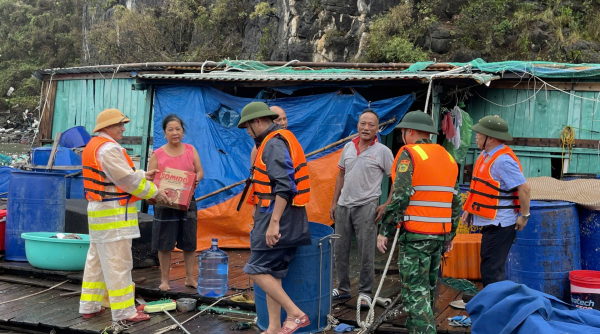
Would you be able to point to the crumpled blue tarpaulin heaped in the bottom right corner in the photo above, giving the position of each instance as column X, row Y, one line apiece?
column 507, row 307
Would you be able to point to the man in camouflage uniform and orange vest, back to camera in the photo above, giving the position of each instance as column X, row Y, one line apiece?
column 419, row 254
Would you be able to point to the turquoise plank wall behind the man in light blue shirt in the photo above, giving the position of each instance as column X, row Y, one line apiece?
column 542, row 116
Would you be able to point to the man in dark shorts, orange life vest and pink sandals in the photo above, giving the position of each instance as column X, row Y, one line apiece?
column 280, row 193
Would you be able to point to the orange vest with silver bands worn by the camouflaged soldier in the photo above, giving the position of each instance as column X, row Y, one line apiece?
column 434, row 177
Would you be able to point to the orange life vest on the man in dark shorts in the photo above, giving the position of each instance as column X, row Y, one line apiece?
column 262, row 186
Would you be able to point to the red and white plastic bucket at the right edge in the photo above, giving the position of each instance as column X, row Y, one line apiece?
column 585, row 288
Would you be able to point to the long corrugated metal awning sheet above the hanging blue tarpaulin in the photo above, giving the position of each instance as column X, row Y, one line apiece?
column 315, row 76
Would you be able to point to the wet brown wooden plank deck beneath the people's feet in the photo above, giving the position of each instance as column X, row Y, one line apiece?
column 50, row 310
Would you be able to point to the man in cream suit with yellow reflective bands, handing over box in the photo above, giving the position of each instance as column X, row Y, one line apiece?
column 112, row 185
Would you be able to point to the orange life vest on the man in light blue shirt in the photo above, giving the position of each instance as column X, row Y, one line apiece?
column 485, row 193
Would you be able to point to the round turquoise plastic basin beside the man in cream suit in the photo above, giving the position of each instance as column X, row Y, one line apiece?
column 55, row 254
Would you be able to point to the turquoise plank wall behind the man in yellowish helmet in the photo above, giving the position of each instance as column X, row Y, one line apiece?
column 78, row 102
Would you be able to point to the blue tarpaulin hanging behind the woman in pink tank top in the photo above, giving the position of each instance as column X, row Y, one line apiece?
column 210, row 117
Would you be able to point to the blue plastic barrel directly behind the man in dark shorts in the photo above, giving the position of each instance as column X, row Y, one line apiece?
column 308, row 282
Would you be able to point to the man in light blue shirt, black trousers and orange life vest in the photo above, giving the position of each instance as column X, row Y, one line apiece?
column 498, row 192
